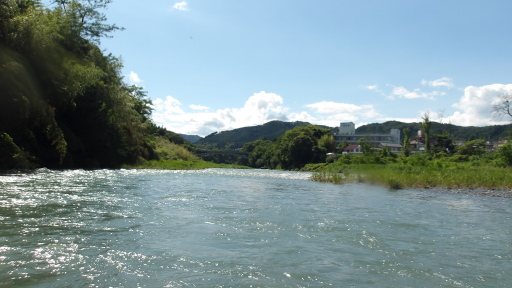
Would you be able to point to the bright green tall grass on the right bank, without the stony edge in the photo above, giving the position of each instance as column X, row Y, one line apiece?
column 426, row 174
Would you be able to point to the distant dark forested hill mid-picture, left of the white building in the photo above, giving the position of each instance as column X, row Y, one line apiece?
column 236, row 138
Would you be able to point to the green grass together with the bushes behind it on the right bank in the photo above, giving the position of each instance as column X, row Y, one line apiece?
column 469, row 167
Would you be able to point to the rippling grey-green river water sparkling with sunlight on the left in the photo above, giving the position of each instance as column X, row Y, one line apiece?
column 243, row 228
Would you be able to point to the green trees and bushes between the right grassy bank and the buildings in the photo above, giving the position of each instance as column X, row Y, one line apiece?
column 308, row 148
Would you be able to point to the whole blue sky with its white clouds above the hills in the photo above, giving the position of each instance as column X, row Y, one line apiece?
column 211, row 66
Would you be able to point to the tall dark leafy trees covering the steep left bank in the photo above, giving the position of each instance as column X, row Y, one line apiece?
column 63, row 103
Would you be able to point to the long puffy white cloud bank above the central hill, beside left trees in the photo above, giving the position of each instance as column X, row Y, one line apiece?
column 258, row 109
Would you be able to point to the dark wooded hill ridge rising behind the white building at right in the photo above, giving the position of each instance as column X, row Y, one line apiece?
column 462, row 133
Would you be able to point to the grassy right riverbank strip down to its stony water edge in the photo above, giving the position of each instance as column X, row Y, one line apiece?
column 484, row 180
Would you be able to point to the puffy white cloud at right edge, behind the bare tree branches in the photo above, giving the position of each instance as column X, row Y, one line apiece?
column 475, row 106
